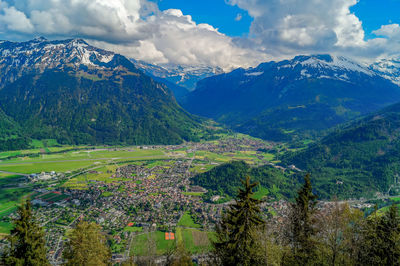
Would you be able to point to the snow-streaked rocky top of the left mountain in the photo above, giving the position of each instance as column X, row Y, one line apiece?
column 39, row 54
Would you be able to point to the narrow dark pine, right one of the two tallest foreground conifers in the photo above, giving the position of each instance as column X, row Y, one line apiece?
column 301, row 228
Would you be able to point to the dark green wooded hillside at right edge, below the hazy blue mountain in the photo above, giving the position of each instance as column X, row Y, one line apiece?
column 360, row 158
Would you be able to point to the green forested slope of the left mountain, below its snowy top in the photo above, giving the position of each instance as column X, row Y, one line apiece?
column 128, row 109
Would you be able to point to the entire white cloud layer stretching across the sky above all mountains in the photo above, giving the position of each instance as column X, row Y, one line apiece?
column 138, row 29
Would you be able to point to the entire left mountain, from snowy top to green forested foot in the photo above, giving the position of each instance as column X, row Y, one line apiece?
column 77, row 93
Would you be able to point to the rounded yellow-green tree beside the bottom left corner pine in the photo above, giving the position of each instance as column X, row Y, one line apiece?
column 87, row 246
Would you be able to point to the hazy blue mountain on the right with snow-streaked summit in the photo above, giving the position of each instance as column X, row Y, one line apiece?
column 282, row 100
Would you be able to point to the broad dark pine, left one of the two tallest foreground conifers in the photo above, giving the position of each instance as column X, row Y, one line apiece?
column 237, row 242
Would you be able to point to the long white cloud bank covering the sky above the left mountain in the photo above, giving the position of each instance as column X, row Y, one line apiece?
column 136, row 28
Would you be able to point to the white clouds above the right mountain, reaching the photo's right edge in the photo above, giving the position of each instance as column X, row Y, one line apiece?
column 283, row 28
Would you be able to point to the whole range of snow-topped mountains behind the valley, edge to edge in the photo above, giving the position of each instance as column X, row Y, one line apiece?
column 77, row 93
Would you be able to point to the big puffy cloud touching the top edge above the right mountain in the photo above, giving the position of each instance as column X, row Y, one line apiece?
column 294, row 25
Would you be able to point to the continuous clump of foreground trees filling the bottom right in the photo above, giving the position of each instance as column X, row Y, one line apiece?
column 336, row 235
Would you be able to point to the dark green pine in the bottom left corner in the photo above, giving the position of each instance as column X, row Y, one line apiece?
column 27, row 244
